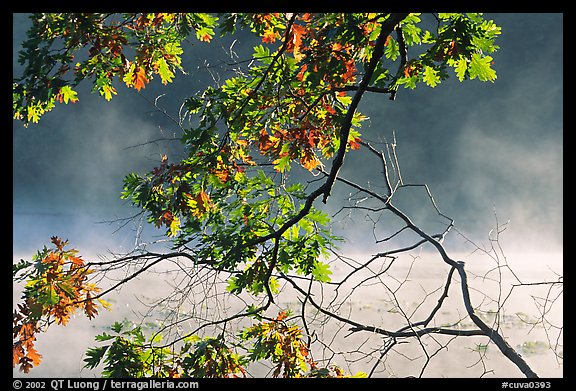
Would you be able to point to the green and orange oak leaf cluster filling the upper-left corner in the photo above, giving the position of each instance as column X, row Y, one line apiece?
column 62, row 50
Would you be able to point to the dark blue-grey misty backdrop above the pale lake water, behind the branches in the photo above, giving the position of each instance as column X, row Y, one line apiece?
column 480, row 147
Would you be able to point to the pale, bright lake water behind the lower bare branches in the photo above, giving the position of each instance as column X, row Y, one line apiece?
column 410, row 288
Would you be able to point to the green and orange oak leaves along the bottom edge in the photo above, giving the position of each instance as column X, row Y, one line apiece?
column 127, row 352
